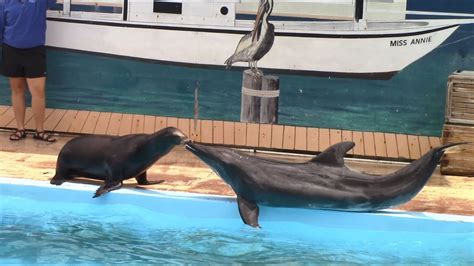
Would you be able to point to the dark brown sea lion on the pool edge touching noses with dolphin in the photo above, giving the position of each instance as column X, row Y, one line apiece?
column 114, row 158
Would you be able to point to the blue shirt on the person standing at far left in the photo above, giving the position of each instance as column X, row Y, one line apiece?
column 23, row 22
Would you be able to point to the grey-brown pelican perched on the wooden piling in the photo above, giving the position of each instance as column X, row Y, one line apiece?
column 253, row 46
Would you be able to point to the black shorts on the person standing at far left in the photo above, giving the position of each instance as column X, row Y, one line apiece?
column 28, row 63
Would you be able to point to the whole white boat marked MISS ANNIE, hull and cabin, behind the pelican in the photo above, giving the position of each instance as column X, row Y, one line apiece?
column 189, row 36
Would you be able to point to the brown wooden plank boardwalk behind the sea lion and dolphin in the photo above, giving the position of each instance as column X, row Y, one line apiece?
column 378, row 145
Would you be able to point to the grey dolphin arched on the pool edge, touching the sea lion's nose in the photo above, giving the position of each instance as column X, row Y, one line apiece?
column 323, row 182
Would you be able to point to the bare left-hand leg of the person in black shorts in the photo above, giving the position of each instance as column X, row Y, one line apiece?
column 18, row 87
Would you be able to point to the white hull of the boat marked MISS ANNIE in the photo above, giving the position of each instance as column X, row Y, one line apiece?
column 377, row 54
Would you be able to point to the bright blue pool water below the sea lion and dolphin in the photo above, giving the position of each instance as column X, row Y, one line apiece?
column 49, row 225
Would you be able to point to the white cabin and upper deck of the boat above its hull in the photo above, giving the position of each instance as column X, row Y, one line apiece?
column 287, row 14
